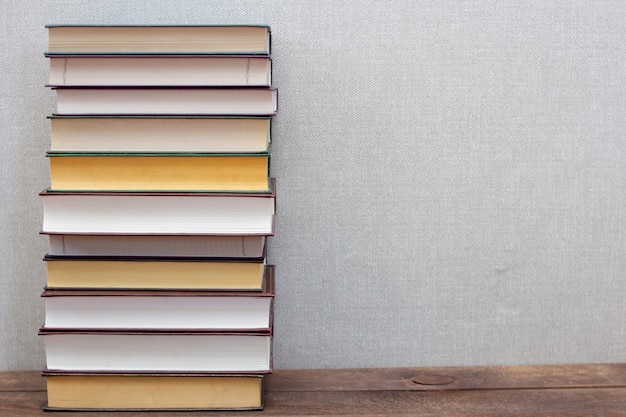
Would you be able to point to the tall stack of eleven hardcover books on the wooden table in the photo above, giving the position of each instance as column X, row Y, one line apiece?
column 158, row 292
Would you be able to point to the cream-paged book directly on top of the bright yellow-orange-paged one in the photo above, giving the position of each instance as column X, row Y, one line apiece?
column 159, row 134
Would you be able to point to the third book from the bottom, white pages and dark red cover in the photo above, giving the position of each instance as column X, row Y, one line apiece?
column 160, row 310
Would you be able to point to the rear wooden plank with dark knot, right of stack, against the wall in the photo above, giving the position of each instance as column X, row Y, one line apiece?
column 449, row 378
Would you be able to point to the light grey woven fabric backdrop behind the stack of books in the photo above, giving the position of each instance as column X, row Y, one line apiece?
column 451, row 176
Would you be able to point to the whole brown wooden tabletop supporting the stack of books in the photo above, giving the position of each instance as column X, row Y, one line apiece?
column 559, row 390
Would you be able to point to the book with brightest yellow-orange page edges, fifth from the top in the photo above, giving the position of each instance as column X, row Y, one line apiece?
column 158, row 172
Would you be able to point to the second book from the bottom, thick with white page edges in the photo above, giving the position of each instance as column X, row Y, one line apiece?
column 154, row 351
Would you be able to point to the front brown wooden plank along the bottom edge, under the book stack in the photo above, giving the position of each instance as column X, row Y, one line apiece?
column 577, row 402
